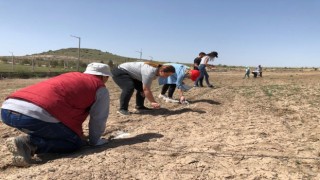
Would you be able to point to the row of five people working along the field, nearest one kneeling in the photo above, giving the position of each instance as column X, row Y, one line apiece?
column 51, row 113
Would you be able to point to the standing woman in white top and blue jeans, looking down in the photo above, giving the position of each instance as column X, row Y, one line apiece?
column 202, row 68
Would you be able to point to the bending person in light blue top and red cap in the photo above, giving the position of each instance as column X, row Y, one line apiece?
column 176, row 81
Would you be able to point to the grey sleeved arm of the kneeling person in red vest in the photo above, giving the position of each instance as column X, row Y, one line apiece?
column 99, row 113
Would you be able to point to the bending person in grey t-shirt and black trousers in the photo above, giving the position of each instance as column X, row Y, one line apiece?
column 138, row 76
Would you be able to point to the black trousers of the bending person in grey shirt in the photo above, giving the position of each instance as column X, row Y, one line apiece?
column 128, row 85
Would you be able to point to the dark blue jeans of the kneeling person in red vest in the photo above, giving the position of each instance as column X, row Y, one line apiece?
column 47, row 137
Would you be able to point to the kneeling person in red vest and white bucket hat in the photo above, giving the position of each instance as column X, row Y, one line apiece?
column 52, row 112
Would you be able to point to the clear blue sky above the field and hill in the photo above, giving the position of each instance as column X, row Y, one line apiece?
column 281, row 33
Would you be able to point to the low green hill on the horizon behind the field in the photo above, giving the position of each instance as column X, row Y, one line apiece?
column 62, row 60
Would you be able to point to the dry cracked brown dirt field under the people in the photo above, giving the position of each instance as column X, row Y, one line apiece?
column 263, row 128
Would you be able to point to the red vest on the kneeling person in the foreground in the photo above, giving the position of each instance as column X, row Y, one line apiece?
column 67, row 97
